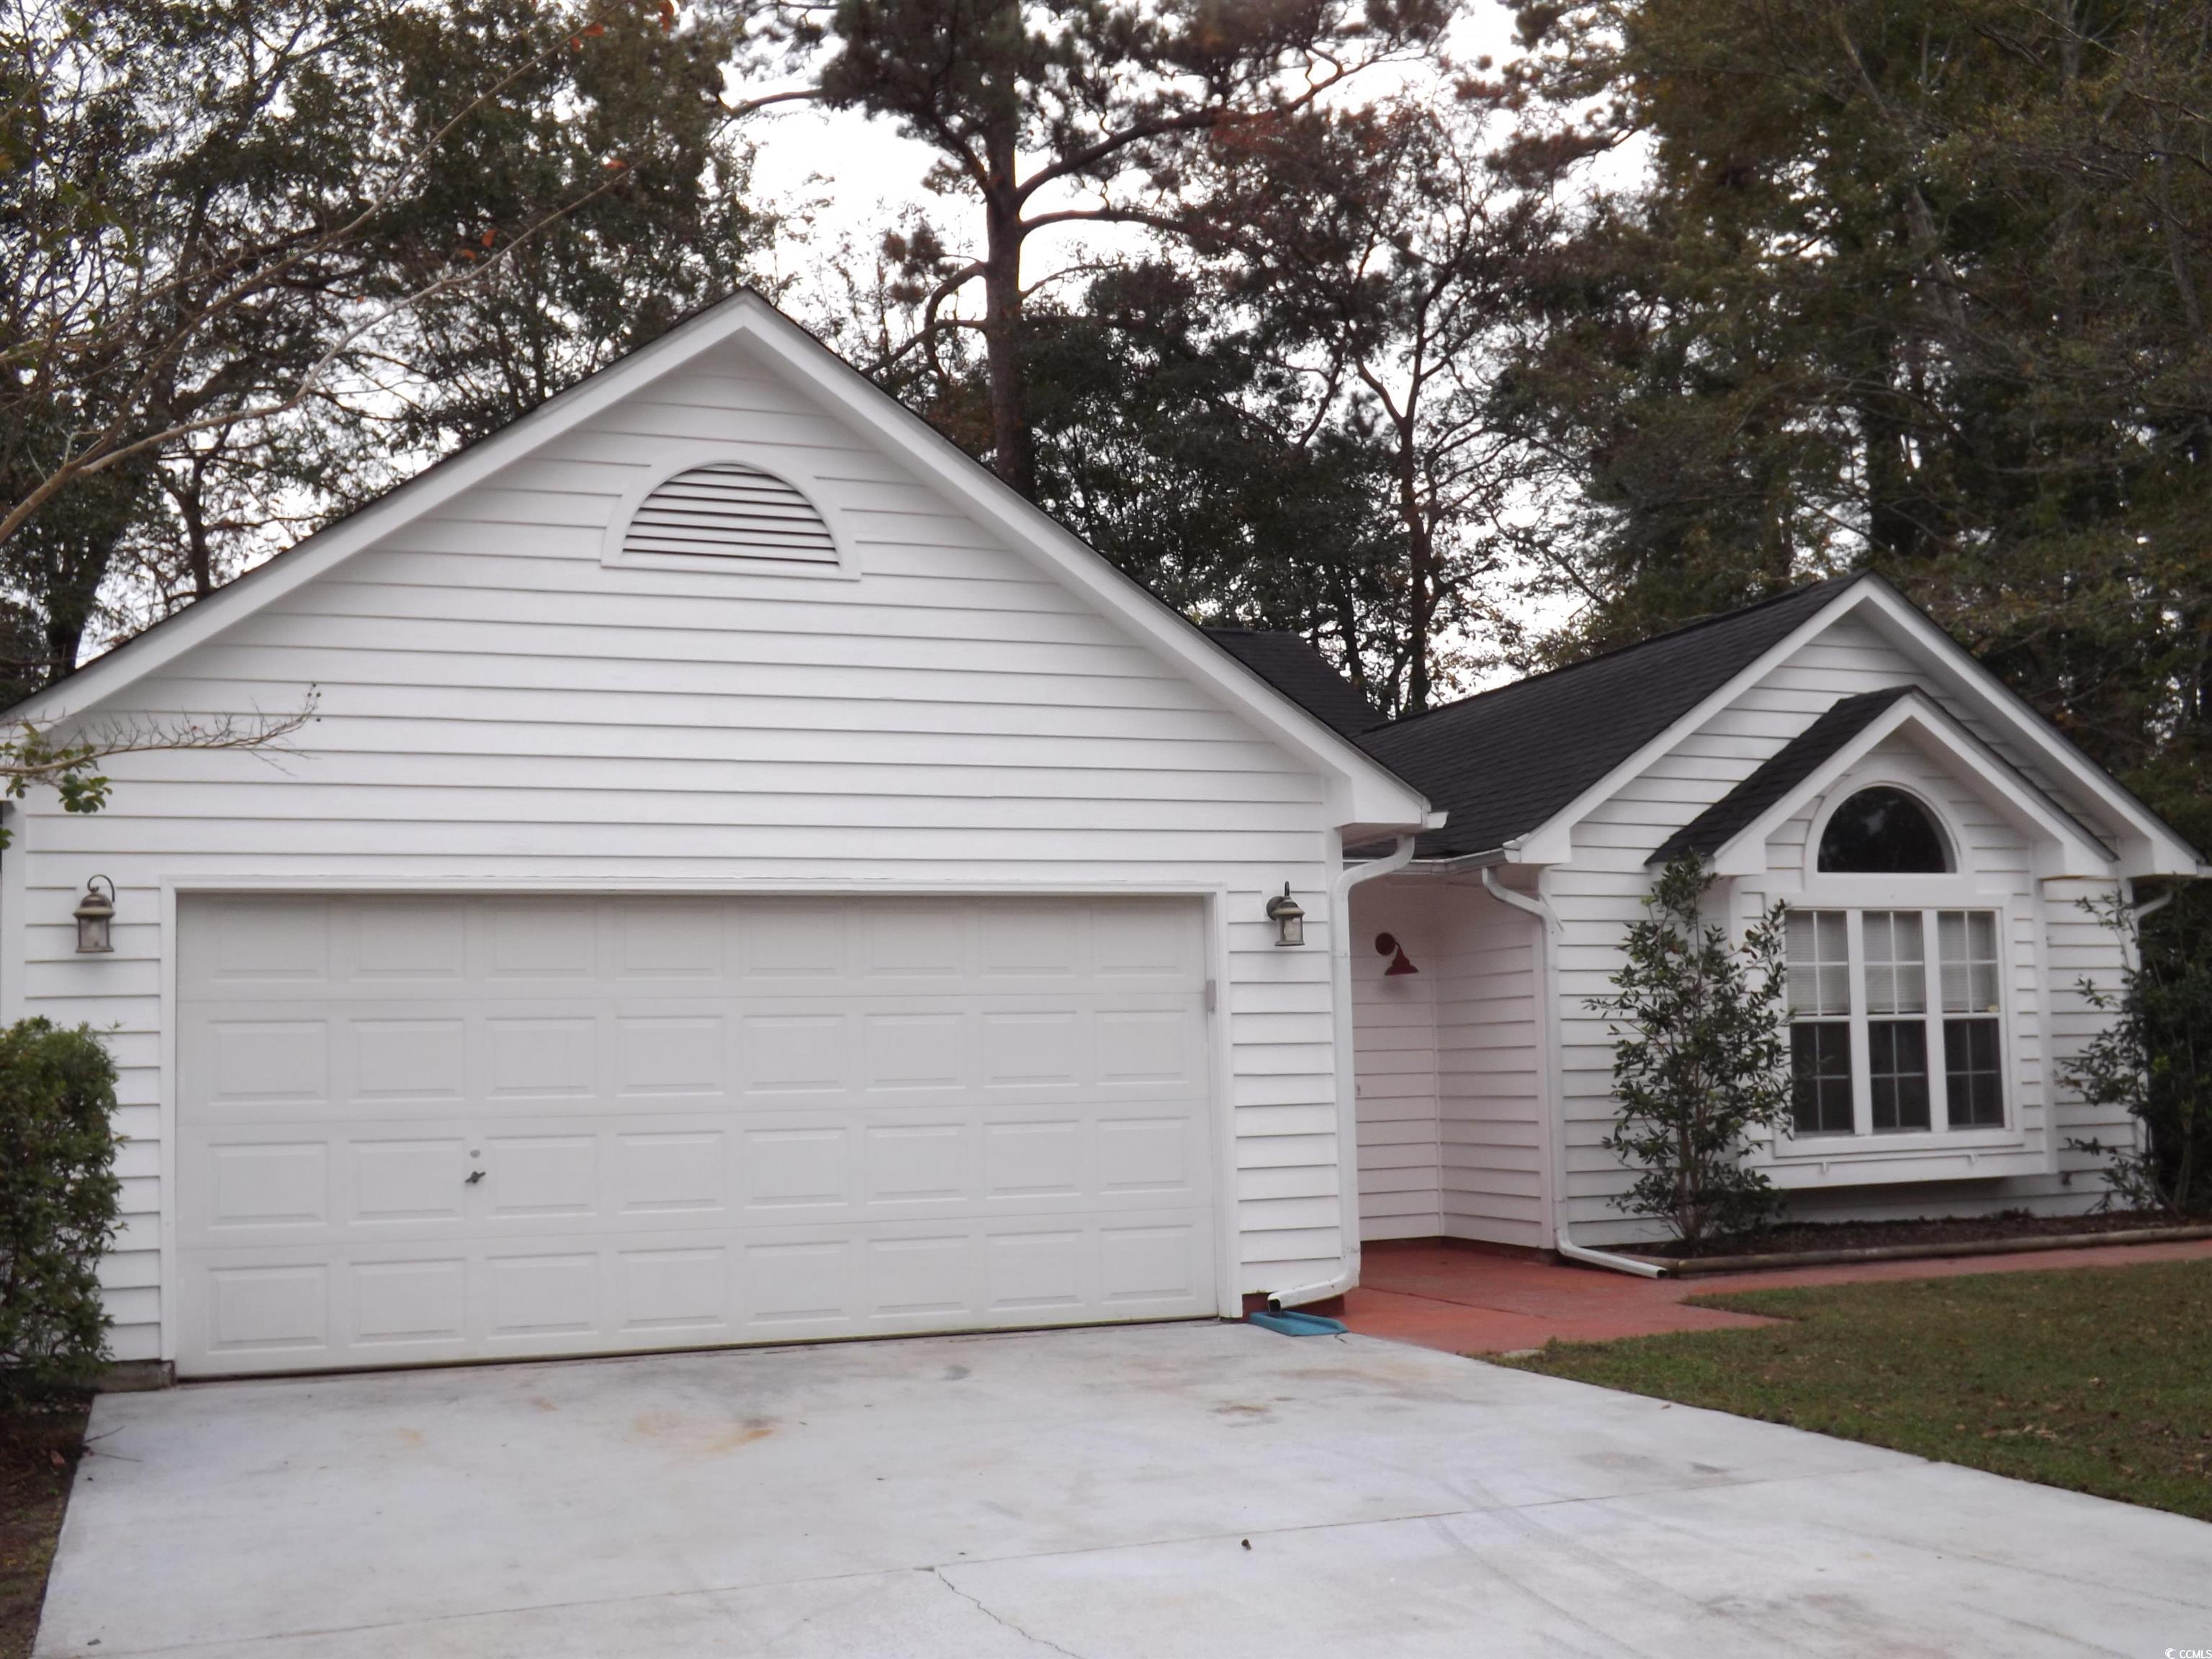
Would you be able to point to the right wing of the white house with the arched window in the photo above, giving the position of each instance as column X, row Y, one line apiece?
column 1833, row 749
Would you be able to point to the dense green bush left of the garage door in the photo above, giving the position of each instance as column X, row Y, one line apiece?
column 59, row 1204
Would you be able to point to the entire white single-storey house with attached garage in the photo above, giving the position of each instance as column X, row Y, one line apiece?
column 751, row 877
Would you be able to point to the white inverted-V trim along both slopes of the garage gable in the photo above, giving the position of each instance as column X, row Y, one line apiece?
column 1364, row 789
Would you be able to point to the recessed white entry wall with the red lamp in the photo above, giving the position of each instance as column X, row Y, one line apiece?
column 1450, row 1067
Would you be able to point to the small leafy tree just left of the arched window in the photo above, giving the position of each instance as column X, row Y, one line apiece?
column 1698, row 1061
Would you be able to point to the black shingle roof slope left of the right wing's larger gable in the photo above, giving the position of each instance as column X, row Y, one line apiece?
column 1507, row 760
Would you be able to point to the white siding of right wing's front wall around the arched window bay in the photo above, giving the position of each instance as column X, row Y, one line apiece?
column 1600, row 890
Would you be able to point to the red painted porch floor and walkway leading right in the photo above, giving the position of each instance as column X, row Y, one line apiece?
column 1481, row 1302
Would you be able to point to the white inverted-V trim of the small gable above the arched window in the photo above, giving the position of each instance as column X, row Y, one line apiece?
column 2063, row 846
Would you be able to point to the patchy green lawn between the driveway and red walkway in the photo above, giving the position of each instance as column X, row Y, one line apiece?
column 2098, row 1379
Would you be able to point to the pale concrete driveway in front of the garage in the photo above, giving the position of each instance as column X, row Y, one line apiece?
column 1154, row 1492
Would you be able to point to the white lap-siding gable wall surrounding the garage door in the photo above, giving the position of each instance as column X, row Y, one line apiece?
column 499, row 709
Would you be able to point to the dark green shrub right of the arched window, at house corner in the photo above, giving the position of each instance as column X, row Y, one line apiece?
column 2156, row 1061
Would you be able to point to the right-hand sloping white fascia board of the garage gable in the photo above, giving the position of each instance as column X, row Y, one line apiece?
column 1361, row 789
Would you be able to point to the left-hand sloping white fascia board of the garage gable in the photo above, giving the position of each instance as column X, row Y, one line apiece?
column 103, row 678
